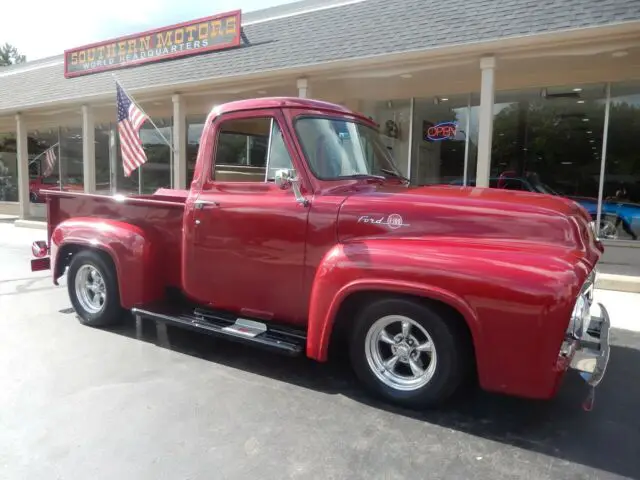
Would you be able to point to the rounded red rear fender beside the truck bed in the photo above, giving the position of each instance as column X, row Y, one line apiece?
column 129, row 247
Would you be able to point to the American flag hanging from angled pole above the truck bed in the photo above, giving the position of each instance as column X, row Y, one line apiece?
column 130, row 119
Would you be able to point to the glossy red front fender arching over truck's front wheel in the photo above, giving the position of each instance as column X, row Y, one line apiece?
column 516, row 298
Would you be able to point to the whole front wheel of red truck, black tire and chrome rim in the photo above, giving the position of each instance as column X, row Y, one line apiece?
column 408, row 353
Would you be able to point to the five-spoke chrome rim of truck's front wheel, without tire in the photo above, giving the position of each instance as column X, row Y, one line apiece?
column 401, row 353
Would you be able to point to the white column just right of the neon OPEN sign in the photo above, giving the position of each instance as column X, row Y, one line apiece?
column 485, row 128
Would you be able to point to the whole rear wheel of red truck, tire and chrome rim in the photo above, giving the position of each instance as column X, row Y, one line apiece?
column 93, row 289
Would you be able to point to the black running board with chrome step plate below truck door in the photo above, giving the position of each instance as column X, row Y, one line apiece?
column 221, row 324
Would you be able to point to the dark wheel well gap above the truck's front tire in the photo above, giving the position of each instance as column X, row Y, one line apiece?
column 354, row 302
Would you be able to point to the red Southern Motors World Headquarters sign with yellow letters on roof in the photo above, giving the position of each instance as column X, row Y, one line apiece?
column 198, row 36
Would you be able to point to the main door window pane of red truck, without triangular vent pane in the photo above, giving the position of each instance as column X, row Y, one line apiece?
column 241, row 152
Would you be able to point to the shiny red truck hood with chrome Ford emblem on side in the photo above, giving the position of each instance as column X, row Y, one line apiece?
column 468, row 214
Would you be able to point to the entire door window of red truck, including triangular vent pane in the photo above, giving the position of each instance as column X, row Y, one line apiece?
column 244, row 152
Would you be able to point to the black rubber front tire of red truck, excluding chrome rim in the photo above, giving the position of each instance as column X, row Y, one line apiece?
column 452, row 350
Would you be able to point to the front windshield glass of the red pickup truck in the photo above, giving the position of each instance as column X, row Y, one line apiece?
column 338, row 148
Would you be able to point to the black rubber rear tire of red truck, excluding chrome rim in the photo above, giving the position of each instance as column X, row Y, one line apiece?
column 111, row 311
